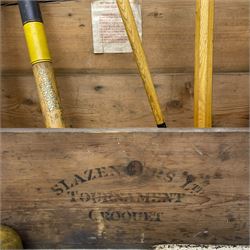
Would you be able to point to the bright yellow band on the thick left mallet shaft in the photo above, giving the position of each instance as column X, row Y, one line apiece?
column 36, row 41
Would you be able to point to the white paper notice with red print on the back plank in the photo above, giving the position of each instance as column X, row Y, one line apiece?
column 109, row 34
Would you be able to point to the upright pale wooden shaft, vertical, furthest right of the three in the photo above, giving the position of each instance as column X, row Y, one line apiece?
column 203, row 63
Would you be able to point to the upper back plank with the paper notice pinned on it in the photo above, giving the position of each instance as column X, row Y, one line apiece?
column 168, row 31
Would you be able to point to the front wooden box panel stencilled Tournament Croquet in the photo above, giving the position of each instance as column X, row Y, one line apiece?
column 126, row 188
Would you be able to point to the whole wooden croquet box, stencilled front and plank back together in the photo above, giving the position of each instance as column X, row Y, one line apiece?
column 111, row 179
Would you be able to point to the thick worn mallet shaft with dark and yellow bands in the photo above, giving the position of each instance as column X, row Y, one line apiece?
column 41, row 63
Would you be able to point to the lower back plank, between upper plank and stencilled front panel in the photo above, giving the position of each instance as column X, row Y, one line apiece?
column 97, row 100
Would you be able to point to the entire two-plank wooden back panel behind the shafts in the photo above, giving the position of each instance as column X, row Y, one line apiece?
column 100, row 91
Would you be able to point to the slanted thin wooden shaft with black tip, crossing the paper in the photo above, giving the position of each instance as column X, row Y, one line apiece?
column 140, row 57
